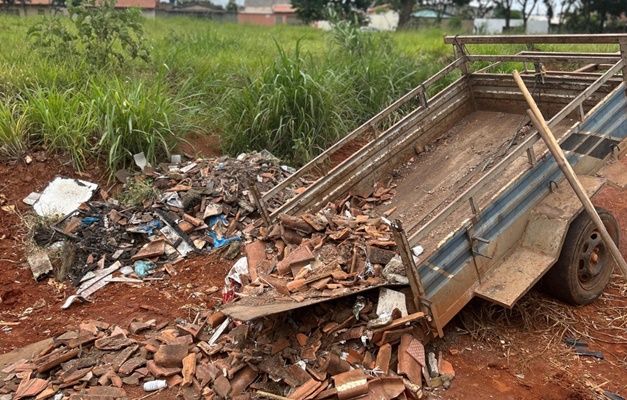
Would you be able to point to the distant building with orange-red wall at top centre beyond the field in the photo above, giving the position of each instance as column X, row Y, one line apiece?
column 267, row 13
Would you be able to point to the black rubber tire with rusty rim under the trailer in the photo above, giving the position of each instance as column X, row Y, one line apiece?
column 585, row 265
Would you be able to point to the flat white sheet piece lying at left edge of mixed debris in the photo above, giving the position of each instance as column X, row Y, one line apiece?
column 63, row 195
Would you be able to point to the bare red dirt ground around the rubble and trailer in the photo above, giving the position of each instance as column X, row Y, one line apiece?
column 512, row 362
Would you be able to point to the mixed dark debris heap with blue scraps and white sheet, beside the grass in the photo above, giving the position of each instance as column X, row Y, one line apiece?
column 184, row 208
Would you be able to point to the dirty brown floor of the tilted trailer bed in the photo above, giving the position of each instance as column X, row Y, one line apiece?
column 448, row 167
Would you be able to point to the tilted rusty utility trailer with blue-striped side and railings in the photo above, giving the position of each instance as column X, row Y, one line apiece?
column 484, row 198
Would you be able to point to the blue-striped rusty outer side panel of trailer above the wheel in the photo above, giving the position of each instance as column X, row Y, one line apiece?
column 449, row 274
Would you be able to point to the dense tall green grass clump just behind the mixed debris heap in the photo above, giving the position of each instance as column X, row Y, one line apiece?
column 290, row 110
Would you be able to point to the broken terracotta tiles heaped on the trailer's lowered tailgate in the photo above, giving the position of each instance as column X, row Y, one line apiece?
column 341, row 249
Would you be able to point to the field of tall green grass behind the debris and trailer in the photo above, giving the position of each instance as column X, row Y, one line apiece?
column 290, row 89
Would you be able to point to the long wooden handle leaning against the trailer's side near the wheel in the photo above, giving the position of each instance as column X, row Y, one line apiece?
column 546, row 134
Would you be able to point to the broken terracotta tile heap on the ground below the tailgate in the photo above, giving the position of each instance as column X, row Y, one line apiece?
column 342, row 349
